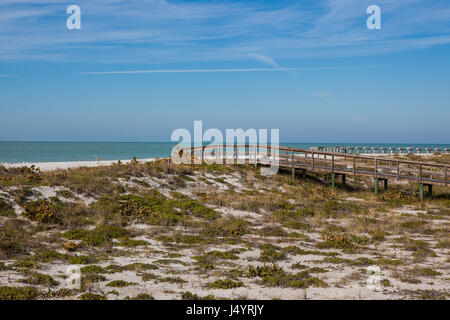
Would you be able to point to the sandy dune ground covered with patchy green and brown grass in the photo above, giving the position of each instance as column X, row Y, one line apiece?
column 210, row 224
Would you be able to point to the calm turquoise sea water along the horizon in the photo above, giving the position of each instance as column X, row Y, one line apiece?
column 84, row 151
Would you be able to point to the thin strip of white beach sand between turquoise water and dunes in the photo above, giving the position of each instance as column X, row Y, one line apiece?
column 49, row 166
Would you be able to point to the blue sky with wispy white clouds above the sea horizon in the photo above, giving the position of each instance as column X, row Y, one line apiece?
column 310, row 68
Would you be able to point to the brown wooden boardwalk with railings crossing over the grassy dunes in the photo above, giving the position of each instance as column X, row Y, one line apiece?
column 336, row 163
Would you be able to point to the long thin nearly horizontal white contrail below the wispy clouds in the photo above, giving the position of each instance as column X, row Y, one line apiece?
column 212, row 70
